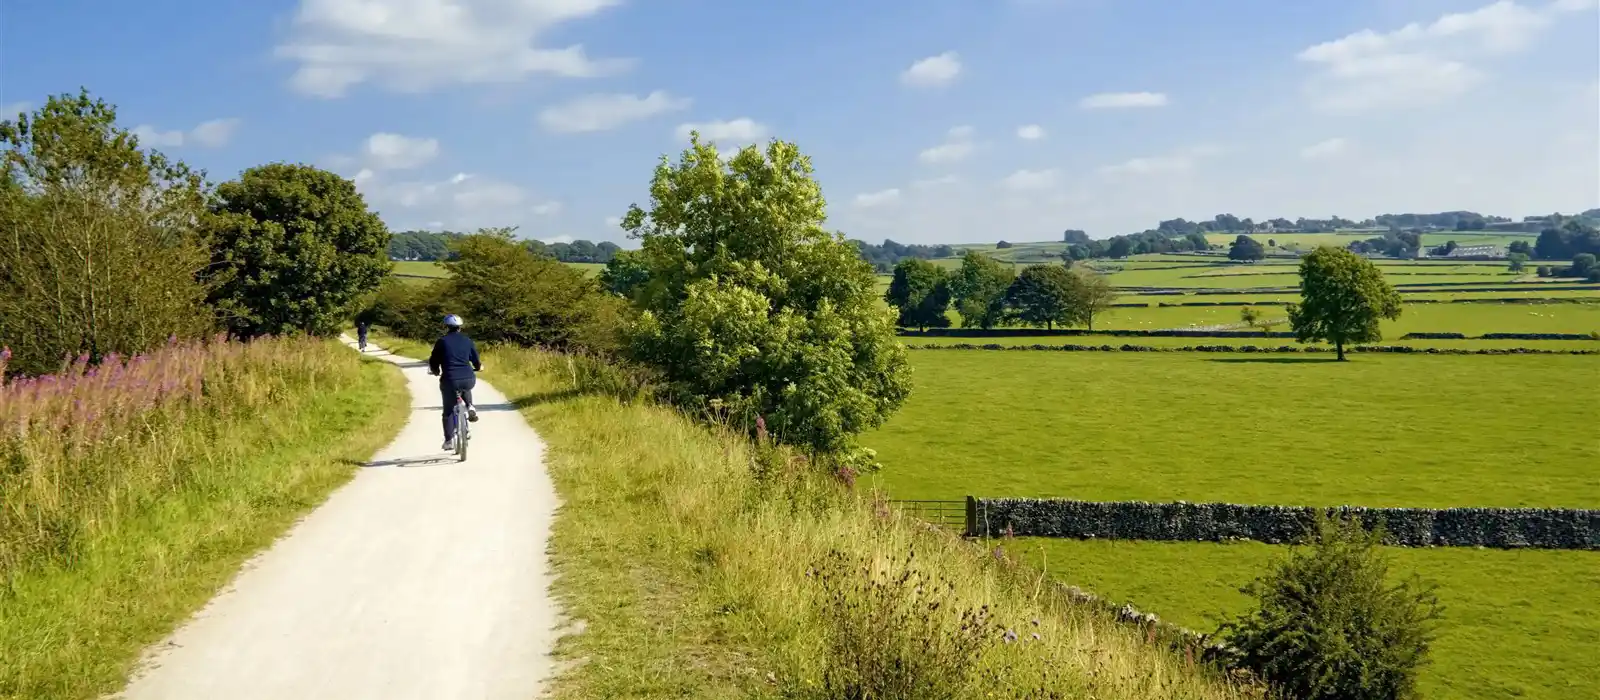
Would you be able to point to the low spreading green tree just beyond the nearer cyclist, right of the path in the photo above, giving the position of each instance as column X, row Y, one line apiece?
column 510, row 295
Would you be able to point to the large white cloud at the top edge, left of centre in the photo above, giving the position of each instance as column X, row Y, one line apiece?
column 417, row 46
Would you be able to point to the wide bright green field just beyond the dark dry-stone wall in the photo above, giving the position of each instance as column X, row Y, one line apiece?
column 1380, row 431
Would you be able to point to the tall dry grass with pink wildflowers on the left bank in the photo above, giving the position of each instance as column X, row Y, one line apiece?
column 87, row 448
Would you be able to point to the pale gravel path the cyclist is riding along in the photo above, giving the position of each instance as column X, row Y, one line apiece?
column 423, row 578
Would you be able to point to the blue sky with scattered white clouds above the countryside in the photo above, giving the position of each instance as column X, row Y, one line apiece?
column 929, row 121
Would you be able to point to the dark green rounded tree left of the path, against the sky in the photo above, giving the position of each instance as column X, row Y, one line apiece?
column 294, row 249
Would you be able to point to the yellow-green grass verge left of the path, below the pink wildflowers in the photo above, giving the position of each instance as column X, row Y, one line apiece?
column 73, row 627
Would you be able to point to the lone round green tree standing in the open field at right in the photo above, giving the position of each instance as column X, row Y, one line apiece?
column 1343, row 298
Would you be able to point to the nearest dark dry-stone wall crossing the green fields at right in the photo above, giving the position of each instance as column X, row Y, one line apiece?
column 1500, row 528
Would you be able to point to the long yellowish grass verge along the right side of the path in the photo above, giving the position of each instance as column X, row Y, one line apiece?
column 706, row 567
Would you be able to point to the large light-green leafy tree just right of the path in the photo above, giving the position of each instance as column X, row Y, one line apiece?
column 756, row 311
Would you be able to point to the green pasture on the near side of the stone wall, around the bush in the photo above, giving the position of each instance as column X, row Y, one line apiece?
column 1518, row 624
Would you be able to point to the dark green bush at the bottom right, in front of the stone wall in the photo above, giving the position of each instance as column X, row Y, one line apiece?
column 1329, row 624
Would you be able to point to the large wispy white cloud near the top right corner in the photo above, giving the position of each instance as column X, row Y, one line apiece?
column 1423, row 63
